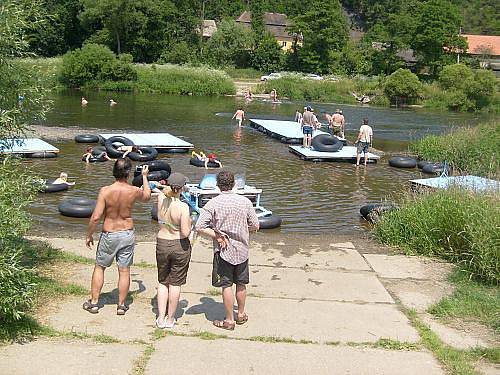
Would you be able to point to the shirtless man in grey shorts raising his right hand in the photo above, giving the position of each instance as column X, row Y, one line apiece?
column 117, row 239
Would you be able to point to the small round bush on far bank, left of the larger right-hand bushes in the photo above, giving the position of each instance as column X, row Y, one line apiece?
column 402, row 85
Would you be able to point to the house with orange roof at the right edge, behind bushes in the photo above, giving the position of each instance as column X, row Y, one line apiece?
column 487, row 49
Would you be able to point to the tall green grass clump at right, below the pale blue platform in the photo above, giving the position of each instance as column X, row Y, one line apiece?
column 454, row 224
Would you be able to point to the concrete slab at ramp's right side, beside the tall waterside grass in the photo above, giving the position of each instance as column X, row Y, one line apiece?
column 407, row 267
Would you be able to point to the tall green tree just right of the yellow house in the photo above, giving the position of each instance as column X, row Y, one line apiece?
column 324, row 29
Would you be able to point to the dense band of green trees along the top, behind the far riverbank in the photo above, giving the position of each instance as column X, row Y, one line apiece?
column 169, row 31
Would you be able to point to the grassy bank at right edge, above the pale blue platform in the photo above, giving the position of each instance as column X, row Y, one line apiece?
column 470, row 150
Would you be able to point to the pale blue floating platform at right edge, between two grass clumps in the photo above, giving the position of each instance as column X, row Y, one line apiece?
column 474, row 183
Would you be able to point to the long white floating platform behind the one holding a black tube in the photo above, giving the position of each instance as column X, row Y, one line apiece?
column 284, row 131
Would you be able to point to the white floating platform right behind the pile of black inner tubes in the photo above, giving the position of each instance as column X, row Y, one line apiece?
column 160, row 141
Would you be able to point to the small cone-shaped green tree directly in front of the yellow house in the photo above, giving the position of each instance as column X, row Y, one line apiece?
column 267, row 55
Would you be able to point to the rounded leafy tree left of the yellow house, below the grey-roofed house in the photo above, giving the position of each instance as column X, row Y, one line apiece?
column 229, row 45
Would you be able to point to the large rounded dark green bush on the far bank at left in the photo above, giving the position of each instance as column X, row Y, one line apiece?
column 94, row 62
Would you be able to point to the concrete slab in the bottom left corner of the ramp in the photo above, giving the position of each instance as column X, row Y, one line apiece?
column 47, row 356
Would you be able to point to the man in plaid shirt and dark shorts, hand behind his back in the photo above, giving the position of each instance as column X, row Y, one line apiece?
column 227, row 219
